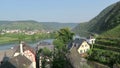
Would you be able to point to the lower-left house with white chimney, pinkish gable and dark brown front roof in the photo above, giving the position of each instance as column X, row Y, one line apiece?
column 23, row 57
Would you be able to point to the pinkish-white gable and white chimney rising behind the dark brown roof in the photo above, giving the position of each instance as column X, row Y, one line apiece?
column 26, row 51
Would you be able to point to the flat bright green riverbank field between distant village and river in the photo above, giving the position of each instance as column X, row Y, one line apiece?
column 9, row 38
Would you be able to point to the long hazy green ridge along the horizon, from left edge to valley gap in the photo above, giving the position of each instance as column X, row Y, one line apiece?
column 31, row 25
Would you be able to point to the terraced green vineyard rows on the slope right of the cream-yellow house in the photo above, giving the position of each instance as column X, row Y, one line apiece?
column 106, row 51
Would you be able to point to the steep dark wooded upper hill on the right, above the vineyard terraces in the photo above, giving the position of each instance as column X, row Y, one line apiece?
column 108, row 19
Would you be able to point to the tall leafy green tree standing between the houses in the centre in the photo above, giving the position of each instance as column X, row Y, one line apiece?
column 63, row 37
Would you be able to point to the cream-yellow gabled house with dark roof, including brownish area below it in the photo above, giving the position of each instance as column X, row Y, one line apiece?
column 77, row 50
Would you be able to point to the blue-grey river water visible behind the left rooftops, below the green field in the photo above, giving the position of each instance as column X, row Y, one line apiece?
column 33, row 44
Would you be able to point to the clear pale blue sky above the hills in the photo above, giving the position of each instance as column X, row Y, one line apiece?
column 64, row 11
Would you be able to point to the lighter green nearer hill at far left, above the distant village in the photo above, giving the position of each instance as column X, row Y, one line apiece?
column 28, row 25
